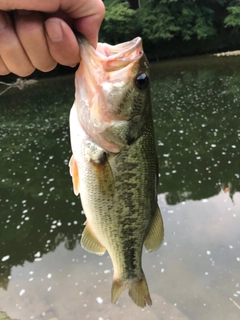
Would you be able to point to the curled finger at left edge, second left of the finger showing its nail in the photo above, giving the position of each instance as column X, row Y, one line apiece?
column 11, row 50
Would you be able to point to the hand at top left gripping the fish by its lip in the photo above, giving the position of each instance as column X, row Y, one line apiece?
column 38, row 33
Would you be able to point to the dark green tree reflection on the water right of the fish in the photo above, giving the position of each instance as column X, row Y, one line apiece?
column 197, row 120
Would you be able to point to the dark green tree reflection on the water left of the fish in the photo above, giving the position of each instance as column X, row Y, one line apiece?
column 37, row 204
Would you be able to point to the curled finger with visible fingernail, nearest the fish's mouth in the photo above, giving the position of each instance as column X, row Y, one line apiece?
column 62, row 42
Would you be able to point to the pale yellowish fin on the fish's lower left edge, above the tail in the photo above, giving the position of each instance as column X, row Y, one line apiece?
column 90, row 242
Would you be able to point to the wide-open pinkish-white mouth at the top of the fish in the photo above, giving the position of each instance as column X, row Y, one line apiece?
column 111, row 57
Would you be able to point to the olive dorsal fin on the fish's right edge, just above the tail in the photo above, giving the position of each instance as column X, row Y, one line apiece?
column 156, row 233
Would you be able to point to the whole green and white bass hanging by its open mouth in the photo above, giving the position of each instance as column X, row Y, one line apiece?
column 114, row 165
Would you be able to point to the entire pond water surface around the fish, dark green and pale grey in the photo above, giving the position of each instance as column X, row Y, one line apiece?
column 195, row 275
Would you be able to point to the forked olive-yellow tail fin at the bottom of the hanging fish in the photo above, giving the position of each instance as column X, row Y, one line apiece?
column 138, row 291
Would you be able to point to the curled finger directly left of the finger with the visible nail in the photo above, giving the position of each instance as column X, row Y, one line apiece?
column 30, row 30
